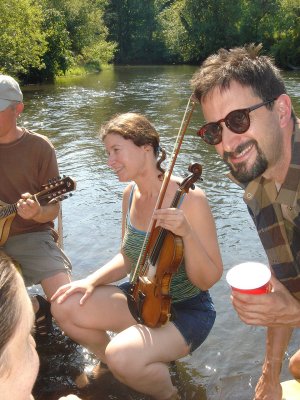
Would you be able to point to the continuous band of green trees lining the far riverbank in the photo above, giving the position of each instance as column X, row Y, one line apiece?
column 41, row 39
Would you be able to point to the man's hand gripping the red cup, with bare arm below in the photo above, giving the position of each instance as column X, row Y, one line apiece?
column 280, row 312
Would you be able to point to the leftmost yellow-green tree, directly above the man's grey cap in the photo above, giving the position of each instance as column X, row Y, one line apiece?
column 23, row 41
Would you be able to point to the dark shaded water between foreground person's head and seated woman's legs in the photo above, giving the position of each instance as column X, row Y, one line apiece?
column 66, row 367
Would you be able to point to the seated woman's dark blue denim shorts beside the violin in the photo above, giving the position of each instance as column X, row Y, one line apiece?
column 194, row 317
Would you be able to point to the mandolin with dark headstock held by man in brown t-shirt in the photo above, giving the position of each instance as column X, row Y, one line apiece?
column 56, row 190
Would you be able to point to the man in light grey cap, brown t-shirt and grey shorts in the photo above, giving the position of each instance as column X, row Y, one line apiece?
column 28, row 161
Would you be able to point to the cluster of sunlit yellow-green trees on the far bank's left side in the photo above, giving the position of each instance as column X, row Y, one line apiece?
column 41, row 39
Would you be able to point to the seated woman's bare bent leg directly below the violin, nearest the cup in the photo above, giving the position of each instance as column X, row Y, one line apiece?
column 139, row 357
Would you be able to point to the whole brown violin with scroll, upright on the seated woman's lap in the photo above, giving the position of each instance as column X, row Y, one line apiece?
column 149, row 299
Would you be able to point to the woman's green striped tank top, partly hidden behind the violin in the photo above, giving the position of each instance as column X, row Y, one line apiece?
column 181, row 287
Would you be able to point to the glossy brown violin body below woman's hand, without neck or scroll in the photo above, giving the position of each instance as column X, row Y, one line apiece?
column 149, row 300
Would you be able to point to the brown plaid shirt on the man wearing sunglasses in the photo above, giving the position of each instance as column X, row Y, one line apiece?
column 279, row 231
